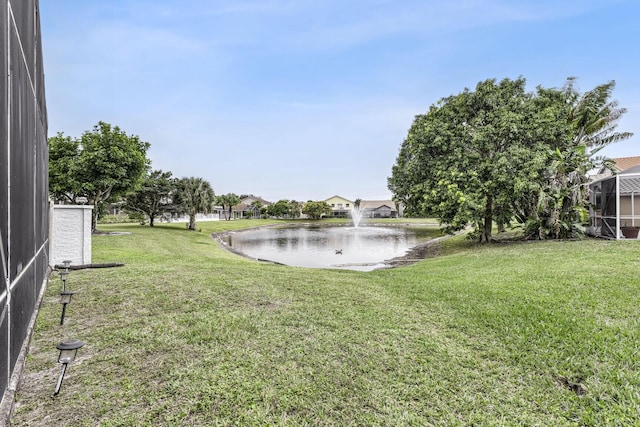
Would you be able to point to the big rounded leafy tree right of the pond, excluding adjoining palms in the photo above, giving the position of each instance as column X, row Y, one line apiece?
column 463, row 159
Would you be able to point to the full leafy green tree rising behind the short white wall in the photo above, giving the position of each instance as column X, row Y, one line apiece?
column 102, row 166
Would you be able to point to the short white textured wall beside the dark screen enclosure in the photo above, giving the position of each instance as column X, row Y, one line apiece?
column 70, row 237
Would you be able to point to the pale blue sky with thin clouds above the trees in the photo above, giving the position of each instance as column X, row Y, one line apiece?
column 296, row 99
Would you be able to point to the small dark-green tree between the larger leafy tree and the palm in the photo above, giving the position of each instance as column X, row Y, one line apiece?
column 153, row 198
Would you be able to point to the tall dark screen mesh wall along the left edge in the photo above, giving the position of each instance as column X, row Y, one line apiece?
column 24, row 208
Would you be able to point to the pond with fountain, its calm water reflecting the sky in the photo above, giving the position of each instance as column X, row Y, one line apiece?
column 329, row 246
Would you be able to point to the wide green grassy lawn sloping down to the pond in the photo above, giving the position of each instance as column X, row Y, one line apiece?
column 188, row 334
